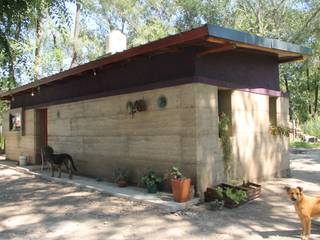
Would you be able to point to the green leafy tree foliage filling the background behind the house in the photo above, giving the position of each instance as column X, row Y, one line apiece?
column 142, row 21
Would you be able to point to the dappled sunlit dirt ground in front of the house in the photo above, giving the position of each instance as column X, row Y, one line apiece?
column 32, row 208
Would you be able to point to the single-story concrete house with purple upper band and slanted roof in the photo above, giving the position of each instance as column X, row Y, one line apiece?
column 181, row 83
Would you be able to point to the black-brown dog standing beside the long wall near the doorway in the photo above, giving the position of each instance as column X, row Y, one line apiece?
column 57, row 160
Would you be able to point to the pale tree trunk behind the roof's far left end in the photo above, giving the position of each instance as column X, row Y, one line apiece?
column 39, row 41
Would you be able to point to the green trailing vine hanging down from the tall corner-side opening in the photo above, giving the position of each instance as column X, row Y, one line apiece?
column 226, row 143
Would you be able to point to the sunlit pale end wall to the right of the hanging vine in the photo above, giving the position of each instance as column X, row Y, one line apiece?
column 258, row 154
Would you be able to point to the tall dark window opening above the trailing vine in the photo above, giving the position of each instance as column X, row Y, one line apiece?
column 224, row 106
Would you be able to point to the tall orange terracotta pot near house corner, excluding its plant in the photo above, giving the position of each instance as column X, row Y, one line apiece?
column 181, row 189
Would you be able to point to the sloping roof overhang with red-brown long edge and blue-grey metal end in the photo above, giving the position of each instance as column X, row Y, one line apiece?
column 222, row 39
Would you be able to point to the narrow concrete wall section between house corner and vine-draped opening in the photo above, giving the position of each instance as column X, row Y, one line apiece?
column 209, row 158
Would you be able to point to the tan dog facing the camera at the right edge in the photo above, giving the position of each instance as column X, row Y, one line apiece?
column 307, row 207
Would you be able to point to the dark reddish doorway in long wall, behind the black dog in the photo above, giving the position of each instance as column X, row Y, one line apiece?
column 41, row 132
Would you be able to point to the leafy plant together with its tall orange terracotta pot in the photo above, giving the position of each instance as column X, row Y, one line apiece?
column 180, row 185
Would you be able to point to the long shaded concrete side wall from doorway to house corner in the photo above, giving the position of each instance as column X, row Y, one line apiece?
column 101, row 135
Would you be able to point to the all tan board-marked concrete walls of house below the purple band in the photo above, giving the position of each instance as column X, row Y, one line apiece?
column 101, row 135
